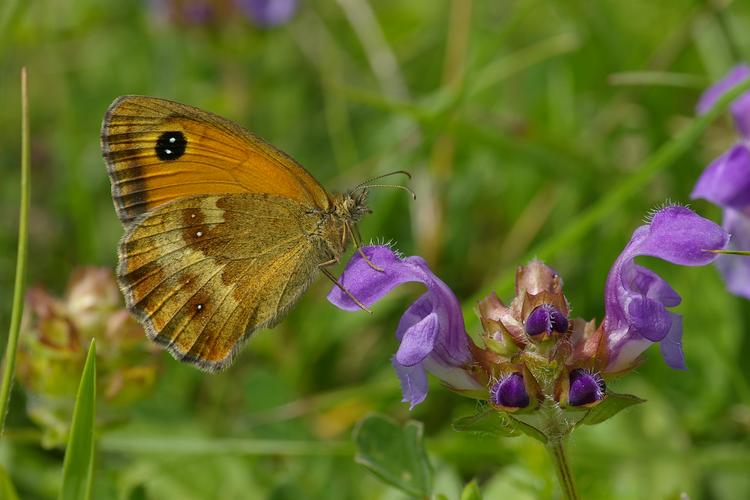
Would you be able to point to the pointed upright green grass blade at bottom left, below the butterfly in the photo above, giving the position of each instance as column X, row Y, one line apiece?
column 79, row 456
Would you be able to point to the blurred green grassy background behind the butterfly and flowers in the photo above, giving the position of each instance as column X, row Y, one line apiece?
column 514, row 117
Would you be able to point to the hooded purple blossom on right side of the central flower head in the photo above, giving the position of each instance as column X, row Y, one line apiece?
column 636, row 298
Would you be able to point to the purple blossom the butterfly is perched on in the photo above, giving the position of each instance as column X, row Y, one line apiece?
column 431, row 331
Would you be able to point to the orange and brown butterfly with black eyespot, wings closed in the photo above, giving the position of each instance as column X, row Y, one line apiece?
column 223, row 232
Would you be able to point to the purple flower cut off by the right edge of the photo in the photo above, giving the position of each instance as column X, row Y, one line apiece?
column 726, row 182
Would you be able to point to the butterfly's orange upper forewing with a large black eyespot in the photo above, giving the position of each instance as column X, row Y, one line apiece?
column 158, row 151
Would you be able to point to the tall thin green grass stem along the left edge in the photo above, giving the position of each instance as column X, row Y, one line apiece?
column 23, row 230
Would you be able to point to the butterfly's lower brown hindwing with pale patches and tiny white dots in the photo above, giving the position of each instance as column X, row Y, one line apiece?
column 202, row 273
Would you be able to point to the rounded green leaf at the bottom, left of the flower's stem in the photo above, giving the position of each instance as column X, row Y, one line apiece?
column 393, row 453
